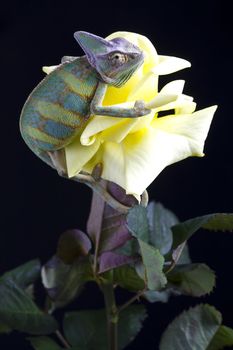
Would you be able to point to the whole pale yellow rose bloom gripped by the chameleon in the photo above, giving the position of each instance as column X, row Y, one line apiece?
column 134, row 151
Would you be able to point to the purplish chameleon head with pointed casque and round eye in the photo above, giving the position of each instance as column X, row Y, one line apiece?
column 115, row 60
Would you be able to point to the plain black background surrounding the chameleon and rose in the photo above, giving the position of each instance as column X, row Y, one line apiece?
column 37, row 205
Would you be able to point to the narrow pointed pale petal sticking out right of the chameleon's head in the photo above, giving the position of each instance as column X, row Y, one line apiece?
column 170, row 64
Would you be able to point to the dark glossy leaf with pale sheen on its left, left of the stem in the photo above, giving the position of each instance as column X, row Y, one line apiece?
column 64, row 282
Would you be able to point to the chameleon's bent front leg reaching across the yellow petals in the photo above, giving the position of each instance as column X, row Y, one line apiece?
column 138, row 110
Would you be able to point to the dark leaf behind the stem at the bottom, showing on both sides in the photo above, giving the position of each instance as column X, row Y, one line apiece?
column 88, row 329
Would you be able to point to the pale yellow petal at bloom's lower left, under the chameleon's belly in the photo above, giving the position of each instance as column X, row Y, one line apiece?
column 78, row 155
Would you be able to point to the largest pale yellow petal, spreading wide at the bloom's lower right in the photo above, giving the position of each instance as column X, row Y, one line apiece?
column 171, row 139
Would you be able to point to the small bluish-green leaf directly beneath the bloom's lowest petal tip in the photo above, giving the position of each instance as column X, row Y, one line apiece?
column 137, row 222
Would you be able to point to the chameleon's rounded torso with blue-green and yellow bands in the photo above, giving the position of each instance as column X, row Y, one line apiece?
column 58, row 107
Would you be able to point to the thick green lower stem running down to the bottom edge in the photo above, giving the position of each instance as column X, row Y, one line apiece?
column 112, row 314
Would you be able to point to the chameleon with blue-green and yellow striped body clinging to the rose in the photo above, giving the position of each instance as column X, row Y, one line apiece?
column 64, row 100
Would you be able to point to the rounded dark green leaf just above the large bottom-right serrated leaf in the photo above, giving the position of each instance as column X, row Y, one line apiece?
column 193, row 279
